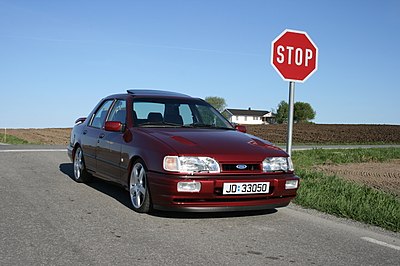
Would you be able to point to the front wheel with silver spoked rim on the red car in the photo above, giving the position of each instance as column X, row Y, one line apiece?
column 138, row 188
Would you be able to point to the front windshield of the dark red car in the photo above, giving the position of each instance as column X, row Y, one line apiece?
column 177, row 113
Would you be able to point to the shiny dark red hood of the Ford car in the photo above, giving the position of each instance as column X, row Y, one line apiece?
column 223, row 145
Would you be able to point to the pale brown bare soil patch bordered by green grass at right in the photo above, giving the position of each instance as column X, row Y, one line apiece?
column 384, row 176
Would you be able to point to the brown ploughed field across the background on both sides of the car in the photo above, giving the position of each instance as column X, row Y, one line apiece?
column 302, row 134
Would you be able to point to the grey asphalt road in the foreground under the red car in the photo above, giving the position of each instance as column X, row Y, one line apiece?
column 47, row 218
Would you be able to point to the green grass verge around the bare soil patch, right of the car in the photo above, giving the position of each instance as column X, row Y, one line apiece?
column 334, row 195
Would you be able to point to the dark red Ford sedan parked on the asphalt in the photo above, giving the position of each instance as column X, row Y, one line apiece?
column 175, row 152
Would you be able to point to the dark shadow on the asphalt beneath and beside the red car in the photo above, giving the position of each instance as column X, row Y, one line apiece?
column 121, row 195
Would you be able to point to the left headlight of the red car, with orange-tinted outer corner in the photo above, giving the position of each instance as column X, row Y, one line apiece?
column 190, row 164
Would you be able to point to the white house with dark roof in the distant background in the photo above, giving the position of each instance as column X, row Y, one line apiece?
column 249, row 117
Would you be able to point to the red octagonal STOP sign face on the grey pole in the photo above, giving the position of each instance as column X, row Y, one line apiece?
column 294, row 55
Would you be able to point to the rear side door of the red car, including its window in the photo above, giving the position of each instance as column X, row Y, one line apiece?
column 92, row 133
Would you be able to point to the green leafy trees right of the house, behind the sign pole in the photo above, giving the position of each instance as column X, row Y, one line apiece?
column 303, row 112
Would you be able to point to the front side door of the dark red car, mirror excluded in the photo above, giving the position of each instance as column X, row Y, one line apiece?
column 109, row 144
